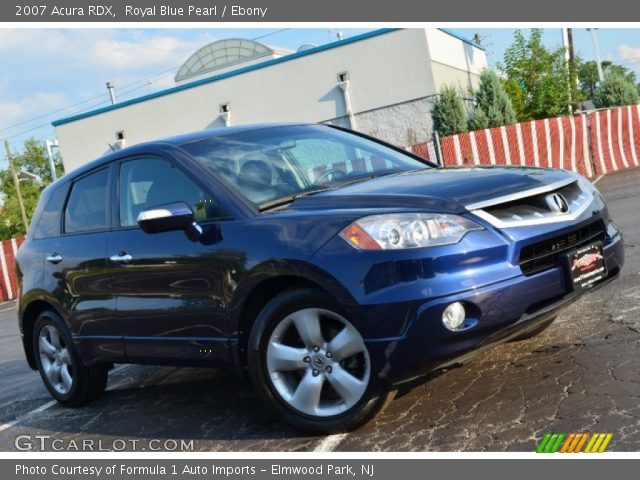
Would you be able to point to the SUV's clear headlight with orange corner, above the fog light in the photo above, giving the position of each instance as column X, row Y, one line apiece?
column 407, row 230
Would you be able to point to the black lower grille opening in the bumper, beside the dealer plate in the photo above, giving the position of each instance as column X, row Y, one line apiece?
column 547, row 254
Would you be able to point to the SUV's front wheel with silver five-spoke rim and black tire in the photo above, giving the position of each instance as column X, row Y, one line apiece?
column 311, row 366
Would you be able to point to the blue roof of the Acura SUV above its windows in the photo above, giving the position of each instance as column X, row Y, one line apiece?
column 176, row 140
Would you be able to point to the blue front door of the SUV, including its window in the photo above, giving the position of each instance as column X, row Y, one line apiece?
column 170, row 290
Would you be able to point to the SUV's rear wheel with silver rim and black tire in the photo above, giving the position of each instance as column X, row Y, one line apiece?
column 68, row 380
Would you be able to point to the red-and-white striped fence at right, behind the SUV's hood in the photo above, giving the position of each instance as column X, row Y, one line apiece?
column 591, row 144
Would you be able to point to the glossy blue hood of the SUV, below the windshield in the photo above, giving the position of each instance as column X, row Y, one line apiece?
column 438, row 189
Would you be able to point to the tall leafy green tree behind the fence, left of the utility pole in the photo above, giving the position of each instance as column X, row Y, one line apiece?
column 540, row 75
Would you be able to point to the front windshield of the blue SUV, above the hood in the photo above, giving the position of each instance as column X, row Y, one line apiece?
column 273, row 165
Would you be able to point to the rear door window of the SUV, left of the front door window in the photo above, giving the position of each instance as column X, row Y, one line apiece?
column 87, row 205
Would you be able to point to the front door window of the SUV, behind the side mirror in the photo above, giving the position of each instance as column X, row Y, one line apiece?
column 147, row 183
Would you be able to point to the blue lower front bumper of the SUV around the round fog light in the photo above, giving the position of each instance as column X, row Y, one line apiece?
column 500, row 311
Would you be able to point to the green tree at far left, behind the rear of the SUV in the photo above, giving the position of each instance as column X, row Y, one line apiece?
column 33, row 159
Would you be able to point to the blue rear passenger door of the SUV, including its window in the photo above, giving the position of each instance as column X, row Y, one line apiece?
column 76, row 271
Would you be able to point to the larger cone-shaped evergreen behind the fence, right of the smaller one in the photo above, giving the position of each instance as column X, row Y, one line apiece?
column 493, row 107
